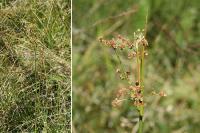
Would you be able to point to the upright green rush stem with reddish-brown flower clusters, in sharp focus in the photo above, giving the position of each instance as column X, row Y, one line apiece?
column 136, row 50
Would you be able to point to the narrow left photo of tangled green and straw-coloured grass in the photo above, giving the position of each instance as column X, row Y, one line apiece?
column 35, row 66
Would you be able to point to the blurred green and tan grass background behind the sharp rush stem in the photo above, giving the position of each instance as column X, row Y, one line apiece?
column 172, row 65
